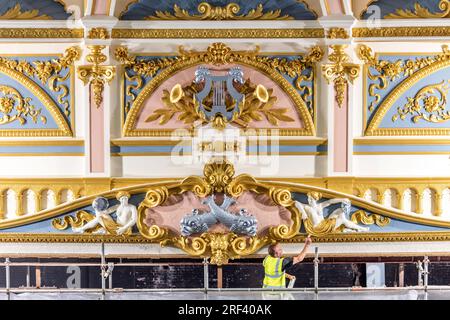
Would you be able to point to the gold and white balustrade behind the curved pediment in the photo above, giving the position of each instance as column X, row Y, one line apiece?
column 428, row 196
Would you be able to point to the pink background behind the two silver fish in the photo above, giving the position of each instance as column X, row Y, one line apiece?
column 177, row 207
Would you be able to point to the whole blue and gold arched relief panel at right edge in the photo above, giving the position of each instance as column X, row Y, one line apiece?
column 425, row 105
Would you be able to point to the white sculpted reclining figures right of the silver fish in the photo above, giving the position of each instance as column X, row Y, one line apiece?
column 314, row 211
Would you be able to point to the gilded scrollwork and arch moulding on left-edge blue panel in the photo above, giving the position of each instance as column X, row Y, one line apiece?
column 48, row 73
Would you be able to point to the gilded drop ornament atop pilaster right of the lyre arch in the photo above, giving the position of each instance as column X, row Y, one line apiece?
column 340, row 71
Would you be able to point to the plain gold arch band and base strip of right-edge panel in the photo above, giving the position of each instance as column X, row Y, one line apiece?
column 373, row 127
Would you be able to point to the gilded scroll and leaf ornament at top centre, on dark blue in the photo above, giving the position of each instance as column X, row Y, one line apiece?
column 228, row 12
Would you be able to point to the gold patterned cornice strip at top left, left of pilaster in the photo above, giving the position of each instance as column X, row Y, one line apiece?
column 8, row 33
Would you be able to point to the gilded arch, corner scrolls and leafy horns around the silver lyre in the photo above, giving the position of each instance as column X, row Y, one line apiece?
column 220, row 54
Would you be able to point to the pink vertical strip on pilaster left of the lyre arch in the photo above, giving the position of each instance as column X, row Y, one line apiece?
column 97, row 132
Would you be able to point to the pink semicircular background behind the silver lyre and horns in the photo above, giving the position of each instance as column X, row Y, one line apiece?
column 185, row 77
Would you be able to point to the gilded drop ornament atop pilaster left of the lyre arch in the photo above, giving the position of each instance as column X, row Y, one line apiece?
column 95, row 74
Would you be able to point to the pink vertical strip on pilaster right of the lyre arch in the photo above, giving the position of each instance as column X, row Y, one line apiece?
column 341, row 136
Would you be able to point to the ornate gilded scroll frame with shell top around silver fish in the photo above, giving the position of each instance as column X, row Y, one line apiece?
column 220, row 247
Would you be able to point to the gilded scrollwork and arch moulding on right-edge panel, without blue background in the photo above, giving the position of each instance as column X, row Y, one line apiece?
column 412, row 70
